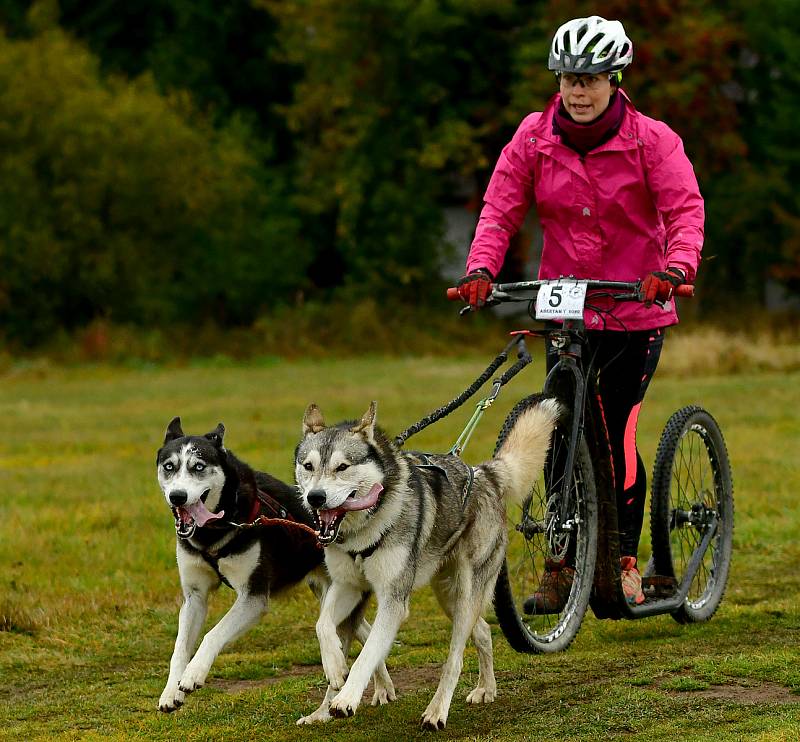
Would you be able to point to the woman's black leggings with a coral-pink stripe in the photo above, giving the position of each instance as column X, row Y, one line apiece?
column 626, row 362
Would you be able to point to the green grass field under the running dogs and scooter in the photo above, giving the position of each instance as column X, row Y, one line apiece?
column 89, row 591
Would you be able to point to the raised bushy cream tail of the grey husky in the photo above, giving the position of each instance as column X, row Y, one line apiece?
column 520, row 460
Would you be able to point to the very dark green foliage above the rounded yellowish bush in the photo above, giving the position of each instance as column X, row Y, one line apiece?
column 220, row 52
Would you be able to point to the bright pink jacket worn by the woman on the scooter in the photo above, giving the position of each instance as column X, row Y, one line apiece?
column 629, row 207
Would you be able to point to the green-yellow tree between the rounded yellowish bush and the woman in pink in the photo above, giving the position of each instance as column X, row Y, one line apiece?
column 394, row 101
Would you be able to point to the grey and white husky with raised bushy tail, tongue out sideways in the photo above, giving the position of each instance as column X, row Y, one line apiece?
column 393, row 521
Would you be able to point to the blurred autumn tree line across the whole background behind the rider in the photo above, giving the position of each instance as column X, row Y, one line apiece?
column 214, row 160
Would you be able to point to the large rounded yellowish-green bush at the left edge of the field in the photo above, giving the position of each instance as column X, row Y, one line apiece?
column 115, row 201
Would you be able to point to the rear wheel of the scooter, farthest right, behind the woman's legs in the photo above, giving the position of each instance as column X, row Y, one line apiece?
column 692, row 492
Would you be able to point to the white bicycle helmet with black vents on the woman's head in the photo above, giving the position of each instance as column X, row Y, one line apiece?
column 590, row 45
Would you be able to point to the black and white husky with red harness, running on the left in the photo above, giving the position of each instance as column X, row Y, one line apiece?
column 244, row 528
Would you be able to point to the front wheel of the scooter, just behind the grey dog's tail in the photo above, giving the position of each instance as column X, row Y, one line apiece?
column 541, row 531
